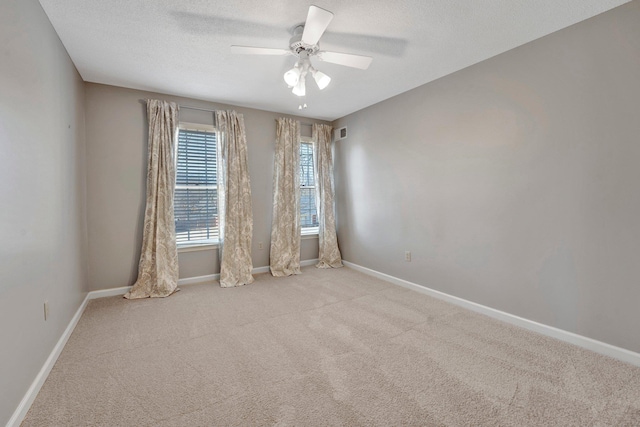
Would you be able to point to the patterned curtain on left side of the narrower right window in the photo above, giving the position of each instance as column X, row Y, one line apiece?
column 284, row 257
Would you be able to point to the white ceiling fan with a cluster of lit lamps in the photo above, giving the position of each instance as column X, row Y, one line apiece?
column 305, row 44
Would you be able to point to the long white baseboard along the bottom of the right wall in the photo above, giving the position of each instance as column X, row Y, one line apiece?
column 570, row 337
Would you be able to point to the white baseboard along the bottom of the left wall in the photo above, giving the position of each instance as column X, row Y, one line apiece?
column 36, row 385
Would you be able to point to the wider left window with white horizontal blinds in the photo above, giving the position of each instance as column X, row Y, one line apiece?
column 196, row 193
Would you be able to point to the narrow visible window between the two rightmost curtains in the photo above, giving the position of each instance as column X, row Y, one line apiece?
column 308, row 211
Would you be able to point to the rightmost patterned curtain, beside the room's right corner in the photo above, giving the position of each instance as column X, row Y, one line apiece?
column 328, row 252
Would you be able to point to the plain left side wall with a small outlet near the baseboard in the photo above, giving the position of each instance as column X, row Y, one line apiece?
column 42, row 218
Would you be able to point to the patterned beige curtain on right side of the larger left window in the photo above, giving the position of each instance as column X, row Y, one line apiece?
column 236, row 225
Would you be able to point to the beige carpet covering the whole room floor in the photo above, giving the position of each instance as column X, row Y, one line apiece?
column 329, row 347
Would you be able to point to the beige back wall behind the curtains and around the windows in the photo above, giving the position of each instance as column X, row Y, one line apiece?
column 116, row 162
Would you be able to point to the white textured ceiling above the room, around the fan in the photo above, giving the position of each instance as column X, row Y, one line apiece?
column 182, row 47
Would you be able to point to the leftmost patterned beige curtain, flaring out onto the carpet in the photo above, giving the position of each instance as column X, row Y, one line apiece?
column 158, row 267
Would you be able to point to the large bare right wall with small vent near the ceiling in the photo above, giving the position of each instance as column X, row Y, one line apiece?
column 514, row 182
